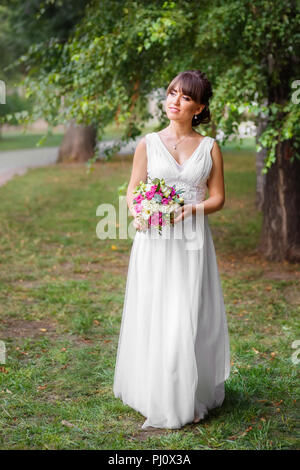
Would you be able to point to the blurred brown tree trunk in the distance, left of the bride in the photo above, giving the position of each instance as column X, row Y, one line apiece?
column 78, row 145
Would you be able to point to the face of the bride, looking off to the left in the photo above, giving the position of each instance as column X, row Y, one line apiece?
column 180, row 107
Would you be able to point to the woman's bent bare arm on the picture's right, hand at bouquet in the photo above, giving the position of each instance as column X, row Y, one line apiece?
column 215, row 184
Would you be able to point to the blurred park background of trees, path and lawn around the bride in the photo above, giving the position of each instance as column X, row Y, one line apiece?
column 80, row 83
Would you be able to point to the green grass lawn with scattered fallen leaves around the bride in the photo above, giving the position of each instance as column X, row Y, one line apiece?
column 61, row 298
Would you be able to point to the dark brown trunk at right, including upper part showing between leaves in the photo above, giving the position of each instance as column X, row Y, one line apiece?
column 280, row 236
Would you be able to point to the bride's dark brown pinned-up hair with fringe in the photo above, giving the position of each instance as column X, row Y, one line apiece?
column 195, row 84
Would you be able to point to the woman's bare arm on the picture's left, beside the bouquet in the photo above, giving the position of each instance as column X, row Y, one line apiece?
column 138, row 172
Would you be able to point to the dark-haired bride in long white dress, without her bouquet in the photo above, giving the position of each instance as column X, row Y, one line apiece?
column 173, row 353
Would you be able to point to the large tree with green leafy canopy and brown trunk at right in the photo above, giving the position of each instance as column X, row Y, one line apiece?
column 122, row 50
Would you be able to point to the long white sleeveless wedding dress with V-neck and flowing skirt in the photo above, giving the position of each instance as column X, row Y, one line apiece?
column 173, row 353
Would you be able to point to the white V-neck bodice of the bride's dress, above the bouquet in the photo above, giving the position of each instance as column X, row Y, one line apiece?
column 191, row 176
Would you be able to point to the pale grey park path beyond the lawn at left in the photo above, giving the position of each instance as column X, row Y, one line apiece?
column 17, row 162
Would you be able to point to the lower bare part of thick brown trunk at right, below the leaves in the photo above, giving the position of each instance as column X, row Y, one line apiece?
column 280, row 237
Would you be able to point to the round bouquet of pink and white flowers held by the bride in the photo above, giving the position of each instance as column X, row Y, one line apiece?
column 155, row 203
